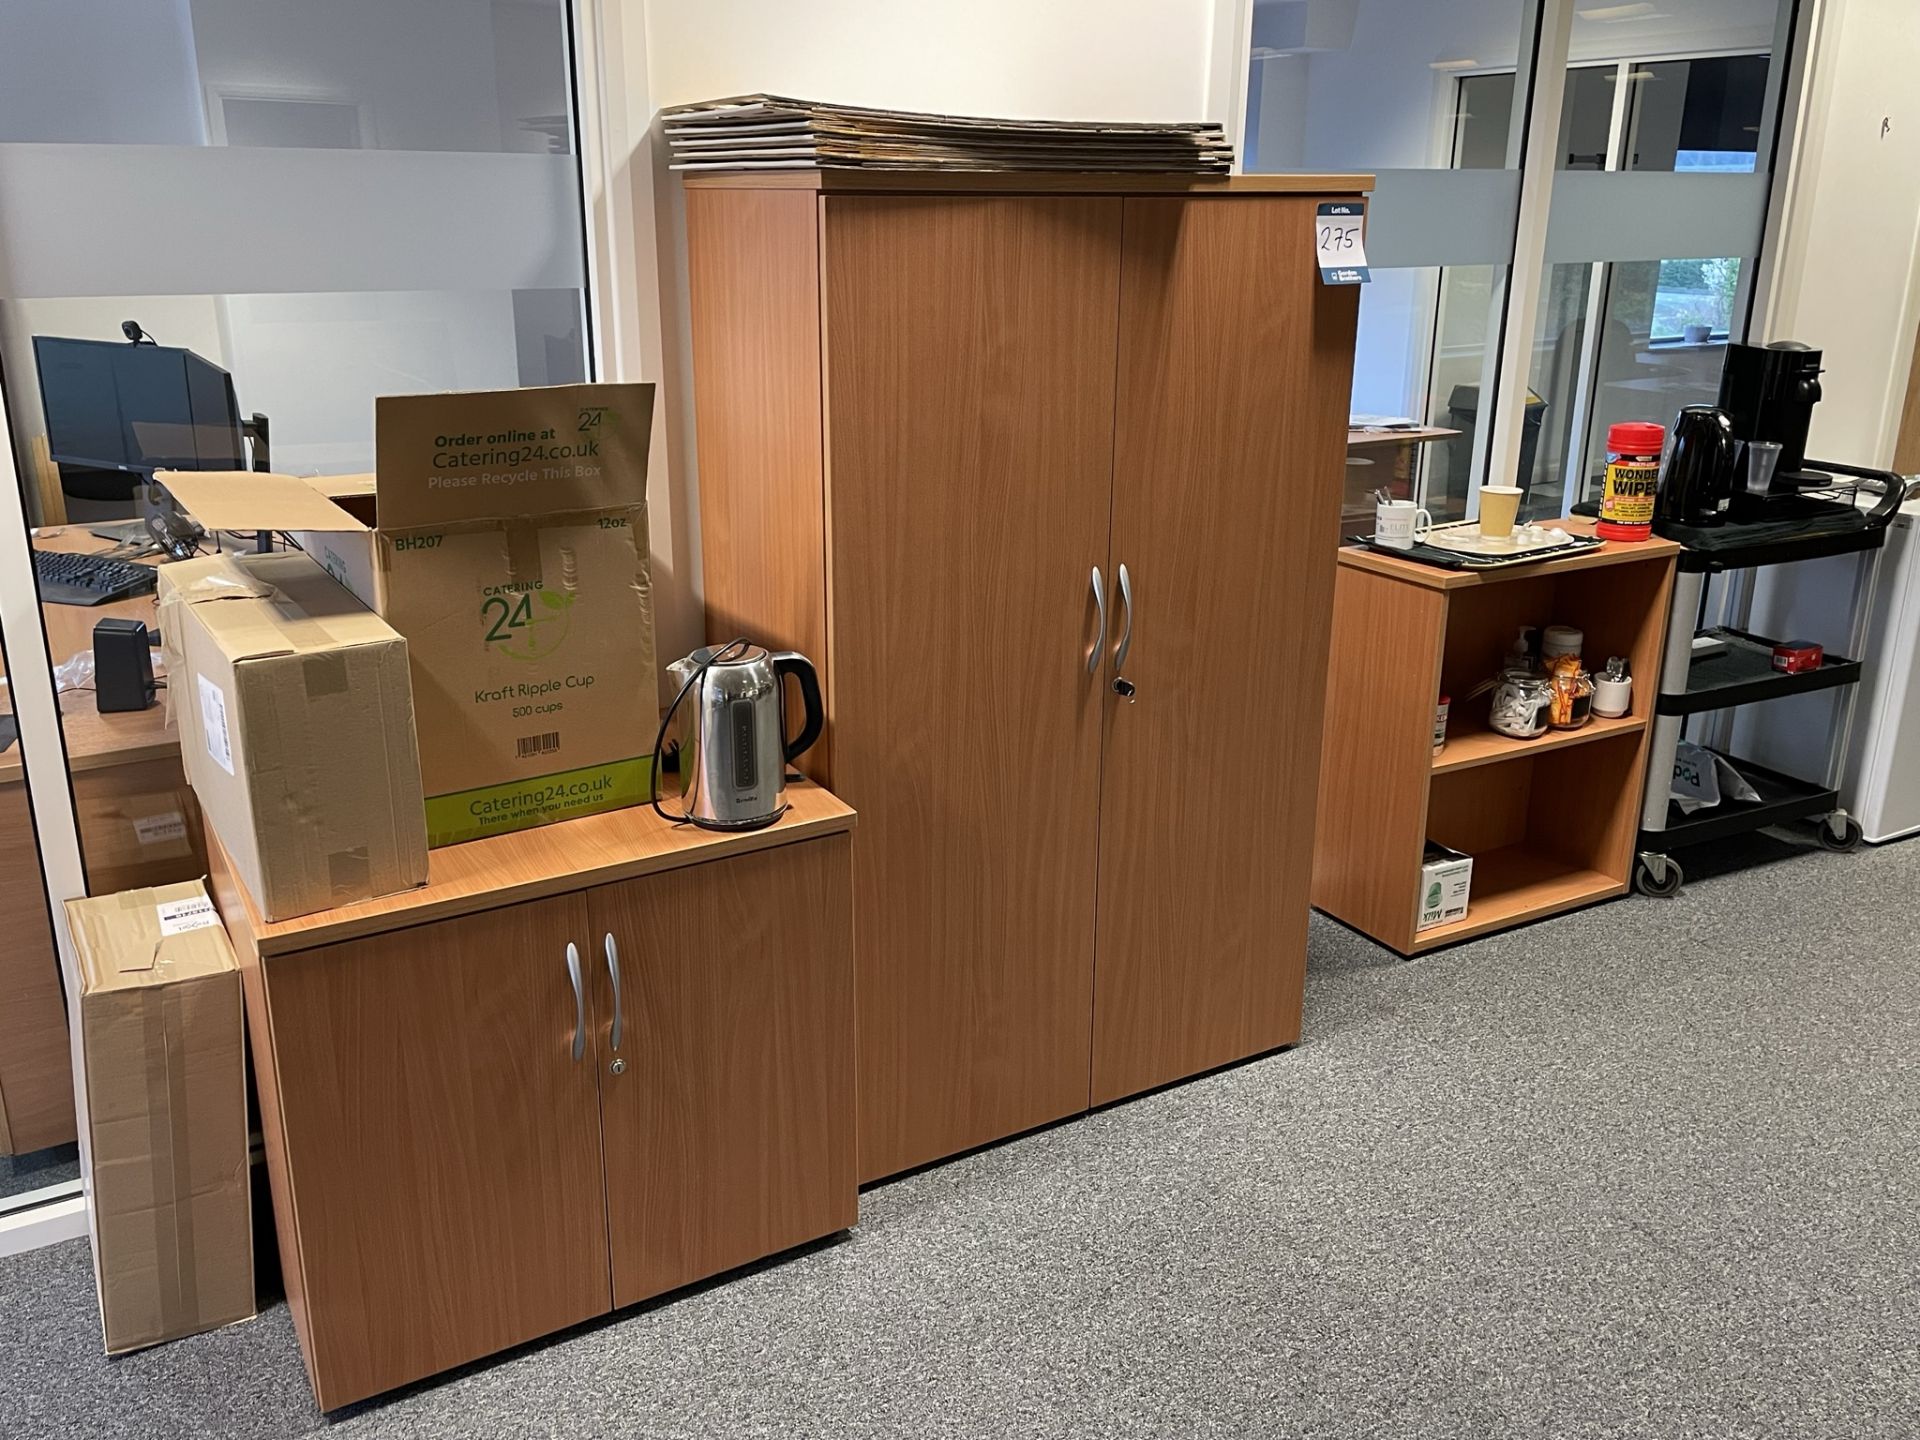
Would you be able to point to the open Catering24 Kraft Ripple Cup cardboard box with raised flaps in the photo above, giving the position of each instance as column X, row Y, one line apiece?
column 510, row 546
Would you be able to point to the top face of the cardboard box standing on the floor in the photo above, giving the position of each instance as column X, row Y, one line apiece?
column 149, row 938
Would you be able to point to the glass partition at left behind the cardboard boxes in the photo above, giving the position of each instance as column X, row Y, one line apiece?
column 281, row 210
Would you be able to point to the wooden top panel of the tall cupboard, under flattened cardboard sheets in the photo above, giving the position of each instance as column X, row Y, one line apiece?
column 934, row 183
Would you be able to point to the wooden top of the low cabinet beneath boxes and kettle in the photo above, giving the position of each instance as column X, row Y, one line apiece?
column 548, row 861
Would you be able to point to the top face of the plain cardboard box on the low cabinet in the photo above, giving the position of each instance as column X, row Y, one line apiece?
column 274, row 606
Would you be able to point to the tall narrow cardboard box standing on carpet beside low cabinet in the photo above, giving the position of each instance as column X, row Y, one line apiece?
column 166, row 1115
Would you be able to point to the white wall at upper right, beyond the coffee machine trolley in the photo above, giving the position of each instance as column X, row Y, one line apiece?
column 1844, row 262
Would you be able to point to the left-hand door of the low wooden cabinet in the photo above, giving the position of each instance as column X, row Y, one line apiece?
column 444, row 1147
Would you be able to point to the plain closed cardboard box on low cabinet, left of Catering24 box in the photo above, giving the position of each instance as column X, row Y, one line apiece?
column 297, row 731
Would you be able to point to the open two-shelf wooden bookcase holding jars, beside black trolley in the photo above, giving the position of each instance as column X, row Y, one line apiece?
column 1550, row 823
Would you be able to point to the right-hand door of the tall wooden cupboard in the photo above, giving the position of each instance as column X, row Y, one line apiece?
column 1230, row 454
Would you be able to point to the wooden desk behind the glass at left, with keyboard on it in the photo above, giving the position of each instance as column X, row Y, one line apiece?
column 139, row 827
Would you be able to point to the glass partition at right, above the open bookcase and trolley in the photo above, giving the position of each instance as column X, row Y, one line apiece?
column 1648, row 220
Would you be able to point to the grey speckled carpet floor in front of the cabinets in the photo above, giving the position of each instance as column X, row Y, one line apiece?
column 1643, row 1172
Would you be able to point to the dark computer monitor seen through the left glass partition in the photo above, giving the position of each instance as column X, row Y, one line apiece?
column 137, row 408
